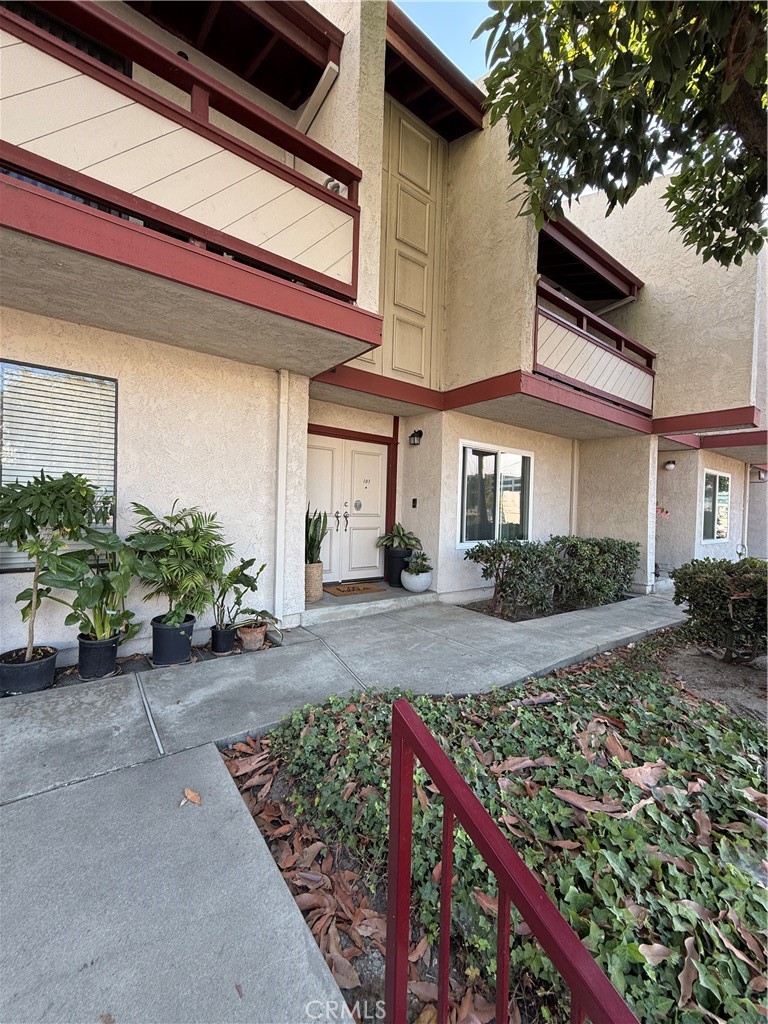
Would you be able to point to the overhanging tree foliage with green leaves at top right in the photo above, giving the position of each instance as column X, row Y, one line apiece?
column 611, row 96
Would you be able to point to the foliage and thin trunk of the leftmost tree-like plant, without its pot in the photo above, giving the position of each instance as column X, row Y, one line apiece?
column 40, row 519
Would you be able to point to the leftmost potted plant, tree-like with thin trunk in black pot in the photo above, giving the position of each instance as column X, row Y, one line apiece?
column 40, row 519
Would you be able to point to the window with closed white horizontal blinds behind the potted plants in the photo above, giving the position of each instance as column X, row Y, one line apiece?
column 57, row 421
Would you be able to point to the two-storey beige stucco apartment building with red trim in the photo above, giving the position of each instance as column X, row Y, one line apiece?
column 260, row 255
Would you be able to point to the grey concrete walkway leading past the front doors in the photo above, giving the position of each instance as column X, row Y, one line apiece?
column 121, row 908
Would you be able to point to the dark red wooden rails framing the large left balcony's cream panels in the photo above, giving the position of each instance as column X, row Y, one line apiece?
column 206, row 94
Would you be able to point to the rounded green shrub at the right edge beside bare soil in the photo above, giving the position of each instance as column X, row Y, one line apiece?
column 727, row 604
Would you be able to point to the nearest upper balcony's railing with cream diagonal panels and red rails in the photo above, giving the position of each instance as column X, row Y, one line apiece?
column 73, row 122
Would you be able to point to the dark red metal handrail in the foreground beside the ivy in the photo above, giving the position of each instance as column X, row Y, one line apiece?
column 592, row 994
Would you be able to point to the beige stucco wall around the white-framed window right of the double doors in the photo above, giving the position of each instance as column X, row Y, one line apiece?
column 432, row 474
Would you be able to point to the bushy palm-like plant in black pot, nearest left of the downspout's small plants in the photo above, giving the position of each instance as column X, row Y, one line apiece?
column 179, row 557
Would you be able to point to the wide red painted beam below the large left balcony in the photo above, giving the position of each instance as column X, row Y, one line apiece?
column 45, row 216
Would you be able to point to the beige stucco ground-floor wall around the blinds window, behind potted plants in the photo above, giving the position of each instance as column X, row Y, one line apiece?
column 191, row 426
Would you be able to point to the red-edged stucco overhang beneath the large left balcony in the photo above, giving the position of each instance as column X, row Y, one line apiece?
column 78, row 265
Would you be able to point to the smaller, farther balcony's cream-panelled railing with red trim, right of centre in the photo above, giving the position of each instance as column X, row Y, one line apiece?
column 577, row 348
